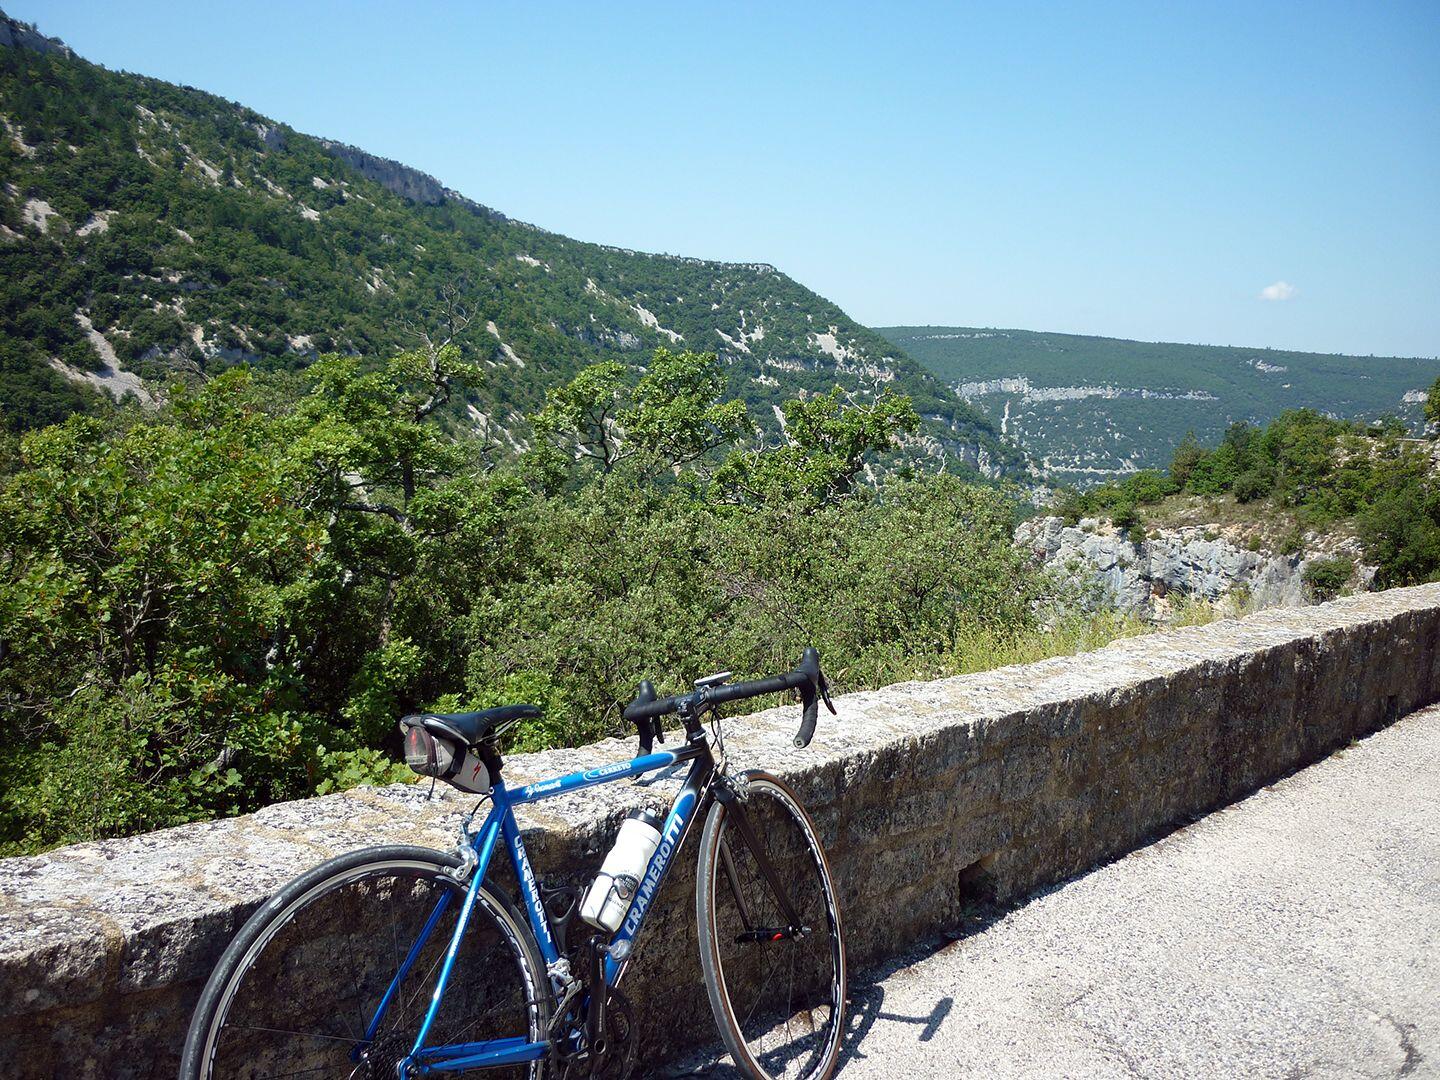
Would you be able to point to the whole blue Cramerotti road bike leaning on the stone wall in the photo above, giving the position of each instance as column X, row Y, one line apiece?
column 410, row 963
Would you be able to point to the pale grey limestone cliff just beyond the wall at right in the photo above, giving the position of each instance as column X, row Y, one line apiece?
column 1203, row 562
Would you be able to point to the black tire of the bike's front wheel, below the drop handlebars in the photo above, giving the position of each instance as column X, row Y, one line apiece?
column 706, row 883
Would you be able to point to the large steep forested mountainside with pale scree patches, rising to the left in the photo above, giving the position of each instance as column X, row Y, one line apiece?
column 148, row 228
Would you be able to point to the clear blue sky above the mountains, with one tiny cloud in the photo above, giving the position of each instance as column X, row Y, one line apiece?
column 1138, row 171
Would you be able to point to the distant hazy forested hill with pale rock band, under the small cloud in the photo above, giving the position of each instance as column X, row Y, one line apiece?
column 1091, row 407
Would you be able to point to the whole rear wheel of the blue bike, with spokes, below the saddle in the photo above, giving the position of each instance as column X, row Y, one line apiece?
column 335, row 974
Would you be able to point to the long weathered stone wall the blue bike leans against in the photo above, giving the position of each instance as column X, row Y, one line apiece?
column 932, row 797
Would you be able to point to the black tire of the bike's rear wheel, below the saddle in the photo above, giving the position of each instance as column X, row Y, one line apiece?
column 194, row 1065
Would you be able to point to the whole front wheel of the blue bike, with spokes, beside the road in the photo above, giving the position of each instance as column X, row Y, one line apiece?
column 777, row 987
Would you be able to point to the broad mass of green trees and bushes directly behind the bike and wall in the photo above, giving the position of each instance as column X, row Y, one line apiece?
column 234, row 600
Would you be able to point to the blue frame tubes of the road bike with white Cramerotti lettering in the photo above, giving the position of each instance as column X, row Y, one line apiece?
column 500, row 827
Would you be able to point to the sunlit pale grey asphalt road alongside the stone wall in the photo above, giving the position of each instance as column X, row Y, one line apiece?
column 1292, row 935
